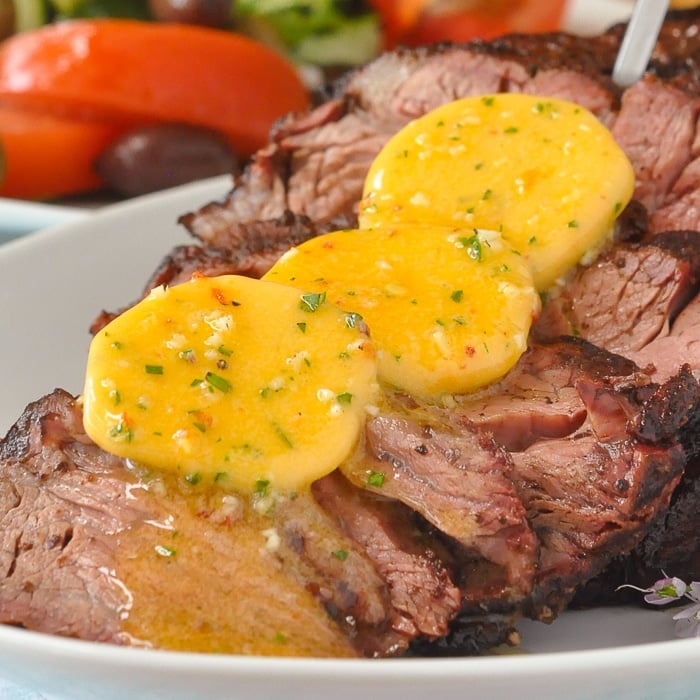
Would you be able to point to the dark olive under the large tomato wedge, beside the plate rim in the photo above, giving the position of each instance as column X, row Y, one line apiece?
column 156, row 157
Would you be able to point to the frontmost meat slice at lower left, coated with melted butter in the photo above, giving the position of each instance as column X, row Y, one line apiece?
column 93, row 549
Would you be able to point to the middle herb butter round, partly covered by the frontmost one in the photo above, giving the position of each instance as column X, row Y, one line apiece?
column 448, row 309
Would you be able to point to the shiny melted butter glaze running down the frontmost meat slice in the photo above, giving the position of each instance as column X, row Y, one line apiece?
column 202, row 575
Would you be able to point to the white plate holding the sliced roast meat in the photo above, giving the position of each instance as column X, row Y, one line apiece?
column 52, row 284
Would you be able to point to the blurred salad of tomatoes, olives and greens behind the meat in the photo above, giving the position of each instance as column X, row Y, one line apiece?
column 126, row 97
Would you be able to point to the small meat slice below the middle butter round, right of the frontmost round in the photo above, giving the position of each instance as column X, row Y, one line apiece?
column 460, row 482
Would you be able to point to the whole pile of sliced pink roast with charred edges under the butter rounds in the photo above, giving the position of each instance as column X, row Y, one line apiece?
column 575, row 473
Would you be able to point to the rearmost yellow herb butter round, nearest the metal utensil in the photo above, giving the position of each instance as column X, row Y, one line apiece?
column 543, row 171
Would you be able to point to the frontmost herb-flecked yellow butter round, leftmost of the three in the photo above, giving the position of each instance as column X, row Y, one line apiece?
column 251, row 384
